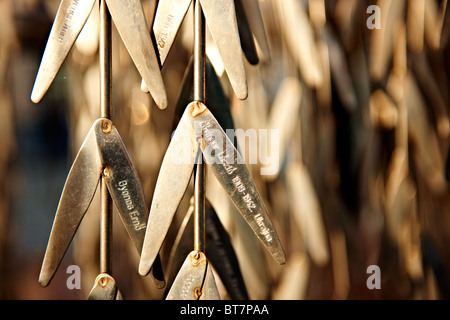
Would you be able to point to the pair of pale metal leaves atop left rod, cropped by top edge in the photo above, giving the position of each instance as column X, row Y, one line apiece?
column 130, row 21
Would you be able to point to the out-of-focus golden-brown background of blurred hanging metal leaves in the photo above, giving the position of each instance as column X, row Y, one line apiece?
column 364, row 136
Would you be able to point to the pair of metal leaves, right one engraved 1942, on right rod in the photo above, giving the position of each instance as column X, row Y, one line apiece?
column 232, row 174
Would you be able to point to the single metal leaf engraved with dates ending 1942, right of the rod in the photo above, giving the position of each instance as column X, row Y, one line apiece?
column 230, row 169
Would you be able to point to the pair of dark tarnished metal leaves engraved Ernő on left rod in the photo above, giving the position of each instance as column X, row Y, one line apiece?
column 102, row 152
